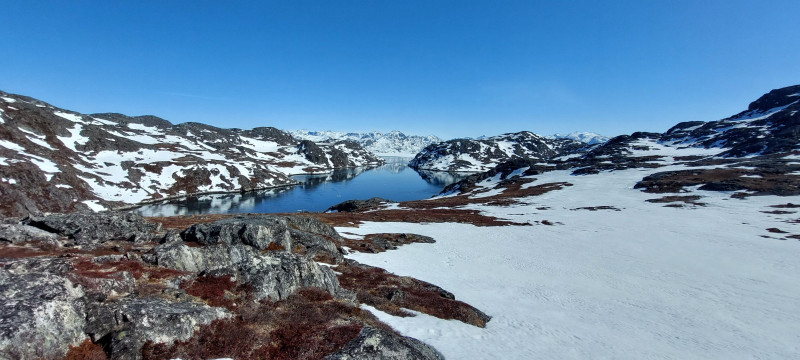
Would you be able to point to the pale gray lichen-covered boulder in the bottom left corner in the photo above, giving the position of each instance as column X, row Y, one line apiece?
column 42, row 314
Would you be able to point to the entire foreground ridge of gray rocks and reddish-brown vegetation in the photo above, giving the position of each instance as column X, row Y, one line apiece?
column 255, row 286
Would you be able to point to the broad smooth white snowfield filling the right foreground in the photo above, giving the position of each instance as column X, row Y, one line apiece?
column 605, row 270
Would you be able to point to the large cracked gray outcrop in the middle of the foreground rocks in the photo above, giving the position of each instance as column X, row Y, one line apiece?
column 254, row 250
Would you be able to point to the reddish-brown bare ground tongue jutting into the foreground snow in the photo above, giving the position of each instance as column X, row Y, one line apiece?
column 392, row 293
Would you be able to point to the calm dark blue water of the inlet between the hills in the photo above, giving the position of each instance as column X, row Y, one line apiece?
column 394, row 181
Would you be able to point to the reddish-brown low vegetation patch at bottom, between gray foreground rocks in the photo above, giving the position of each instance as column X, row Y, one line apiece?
column 310, row 324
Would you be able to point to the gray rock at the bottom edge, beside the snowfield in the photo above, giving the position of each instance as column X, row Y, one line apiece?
column 373, row 343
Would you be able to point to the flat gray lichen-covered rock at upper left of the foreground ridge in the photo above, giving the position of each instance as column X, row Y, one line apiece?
column 94, row 228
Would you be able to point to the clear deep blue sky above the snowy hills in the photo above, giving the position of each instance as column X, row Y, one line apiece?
column 450, row 68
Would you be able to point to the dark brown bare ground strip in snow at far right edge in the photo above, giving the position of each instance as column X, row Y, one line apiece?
column 756, row 182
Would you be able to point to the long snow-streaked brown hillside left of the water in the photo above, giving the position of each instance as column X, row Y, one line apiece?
column 52, row 159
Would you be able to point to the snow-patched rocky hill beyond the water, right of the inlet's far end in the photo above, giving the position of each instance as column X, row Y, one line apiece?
column 473, row 155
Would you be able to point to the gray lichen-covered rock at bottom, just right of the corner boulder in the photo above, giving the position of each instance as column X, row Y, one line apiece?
column 124, row 326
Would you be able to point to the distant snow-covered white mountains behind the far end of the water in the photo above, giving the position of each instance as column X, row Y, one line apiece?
column 393, row 143
